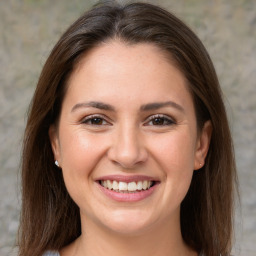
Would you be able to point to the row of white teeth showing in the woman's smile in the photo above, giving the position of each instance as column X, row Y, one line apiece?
column 124, row 186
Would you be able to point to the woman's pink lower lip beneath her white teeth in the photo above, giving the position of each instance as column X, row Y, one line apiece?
column 128, row 197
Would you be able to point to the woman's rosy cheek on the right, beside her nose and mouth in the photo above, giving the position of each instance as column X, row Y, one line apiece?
column 175, row 156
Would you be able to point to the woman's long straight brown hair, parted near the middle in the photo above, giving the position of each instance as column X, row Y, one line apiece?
column 49, row 218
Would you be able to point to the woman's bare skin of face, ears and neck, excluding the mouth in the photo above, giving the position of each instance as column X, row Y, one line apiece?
column 128, row 140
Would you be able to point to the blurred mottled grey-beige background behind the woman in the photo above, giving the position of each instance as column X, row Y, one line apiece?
column 30, row 28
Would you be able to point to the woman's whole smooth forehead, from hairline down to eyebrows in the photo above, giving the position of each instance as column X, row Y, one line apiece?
column 139, row 71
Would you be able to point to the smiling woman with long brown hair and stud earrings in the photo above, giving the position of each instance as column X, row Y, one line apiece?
column 127, row 148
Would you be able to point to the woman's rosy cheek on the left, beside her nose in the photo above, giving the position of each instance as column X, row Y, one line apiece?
column 80, row 153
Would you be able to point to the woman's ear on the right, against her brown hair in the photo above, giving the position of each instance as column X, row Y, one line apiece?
column 203, row 143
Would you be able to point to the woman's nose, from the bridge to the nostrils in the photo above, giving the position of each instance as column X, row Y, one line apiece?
column 127, row 148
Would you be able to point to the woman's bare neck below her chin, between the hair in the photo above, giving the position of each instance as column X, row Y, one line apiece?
column 158, row 241
